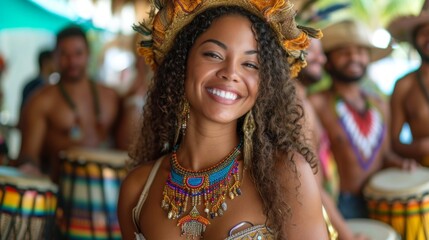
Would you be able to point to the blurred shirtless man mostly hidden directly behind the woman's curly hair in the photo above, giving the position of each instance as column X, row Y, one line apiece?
column 327, row 174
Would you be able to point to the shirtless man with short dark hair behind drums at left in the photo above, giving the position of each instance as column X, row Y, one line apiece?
column 75, row 112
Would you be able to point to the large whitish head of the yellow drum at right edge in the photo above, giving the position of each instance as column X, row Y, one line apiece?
column 397, row 183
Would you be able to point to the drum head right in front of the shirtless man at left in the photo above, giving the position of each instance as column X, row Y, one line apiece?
column 101, row 156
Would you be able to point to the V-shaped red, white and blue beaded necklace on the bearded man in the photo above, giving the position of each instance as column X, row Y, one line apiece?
column 364, row 130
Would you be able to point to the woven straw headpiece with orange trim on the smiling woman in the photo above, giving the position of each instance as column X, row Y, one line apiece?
column 168, row 17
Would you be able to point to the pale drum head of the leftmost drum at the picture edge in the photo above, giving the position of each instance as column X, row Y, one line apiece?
column 13, row 176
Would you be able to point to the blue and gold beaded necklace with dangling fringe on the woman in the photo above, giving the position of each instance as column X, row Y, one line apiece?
column 210, row 187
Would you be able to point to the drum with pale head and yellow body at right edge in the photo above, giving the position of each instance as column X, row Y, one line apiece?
column 401, row 199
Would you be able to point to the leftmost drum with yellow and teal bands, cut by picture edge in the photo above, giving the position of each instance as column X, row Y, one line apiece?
column 27, row 206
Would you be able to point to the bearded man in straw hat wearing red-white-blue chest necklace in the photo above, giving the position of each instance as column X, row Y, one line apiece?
column 355, row 120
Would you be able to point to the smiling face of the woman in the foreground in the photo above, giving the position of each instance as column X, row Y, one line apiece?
column 222, row 74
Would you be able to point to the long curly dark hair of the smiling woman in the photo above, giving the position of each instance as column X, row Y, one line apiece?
column 277, row 112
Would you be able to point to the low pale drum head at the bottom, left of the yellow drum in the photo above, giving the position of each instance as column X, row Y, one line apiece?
column 374, row 230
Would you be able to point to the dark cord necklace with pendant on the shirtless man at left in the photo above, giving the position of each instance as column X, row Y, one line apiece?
column 76, row 132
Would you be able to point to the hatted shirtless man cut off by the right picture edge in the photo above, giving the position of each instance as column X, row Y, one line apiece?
column 410, row 97
